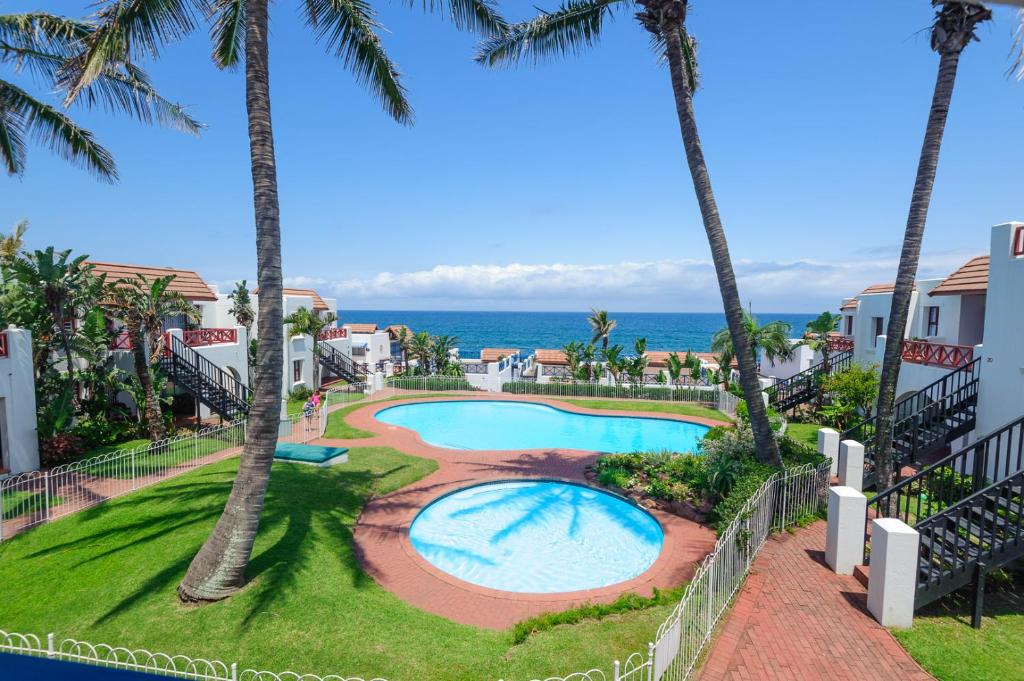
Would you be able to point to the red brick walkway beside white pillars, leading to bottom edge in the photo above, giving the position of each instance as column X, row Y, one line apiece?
column 797, row 620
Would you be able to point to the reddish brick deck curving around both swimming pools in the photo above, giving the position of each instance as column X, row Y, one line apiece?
column 385, row 550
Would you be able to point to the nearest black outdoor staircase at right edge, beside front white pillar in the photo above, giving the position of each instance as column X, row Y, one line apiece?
column 969, row 509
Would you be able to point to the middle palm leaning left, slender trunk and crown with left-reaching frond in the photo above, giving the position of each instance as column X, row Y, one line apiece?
column 577, row 25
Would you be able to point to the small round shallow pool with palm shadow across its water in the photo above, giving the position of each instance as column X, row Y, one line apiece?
column 537, row 537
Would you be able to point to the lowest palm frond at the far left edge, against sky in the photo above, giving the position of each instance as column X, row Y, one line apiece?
column 22, row 114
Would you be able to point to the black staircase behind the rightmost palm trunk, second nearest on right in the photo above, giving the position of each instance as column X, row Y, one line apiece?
column 926, row 422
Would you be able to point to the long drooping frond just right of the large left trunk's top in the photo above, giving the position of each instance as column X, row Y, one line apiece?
column 349, row 28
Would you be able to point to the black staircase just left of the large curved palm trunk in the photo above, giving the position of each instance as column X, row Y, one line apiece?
column 210, row 385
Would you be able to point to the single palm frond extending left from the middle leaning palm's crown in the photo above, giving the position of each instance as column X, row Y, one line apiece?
column 575, row 26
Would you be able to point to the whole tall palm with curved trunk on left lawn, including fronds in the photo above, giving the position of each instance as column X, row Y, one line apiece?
column 133, row 31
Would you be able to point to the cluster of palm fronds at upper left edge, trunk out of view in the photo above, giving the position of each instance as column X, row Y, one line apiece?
column 41, row 45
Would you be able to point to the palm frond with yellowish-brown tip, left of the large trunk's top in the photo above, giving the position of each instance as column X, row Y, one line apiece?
column 126, row 31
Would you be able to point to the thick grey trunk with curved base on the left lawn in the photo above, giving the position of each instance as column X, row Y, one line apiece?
column 219, row 570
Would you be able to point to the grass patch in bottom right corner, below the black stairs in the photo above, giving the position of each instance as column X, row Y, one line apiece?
column 945, row 644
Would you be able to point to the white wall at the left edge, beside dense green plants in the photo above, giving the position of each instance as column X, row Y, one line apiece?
column 18, row 404
